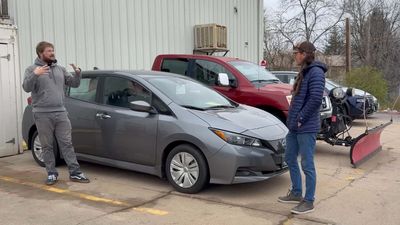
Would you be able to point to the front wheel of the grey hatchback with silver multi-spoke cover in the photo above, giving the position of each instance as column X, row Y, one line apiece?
column 187, row 169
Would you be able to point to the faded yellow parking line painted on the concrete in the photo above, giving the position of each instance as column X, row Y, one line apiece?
column 83, row 196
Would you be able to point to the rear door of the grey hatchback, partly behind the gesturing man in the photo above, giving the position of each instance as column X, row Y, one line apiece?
column 82, row 104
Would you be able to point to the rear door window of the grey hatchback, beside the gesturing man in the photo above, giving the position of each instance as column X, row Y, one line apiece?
column 86, row 91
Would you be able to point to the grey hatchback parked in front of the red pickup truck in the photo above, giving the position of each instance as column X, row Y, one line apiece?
column 169, row 126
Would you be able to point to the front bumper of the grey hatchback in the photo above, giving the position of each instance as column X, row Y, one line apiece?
column 239, row 164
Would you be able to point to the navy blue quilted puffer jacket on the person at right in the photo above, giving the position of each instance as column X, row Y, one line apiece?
column 305, row 106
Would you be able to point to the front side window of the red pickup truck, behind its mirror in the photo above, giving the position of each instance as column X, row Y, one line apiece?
column 207, row 72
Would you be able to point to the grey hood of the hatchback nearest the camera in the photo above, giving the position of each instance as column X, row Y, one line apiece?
column 243, row 119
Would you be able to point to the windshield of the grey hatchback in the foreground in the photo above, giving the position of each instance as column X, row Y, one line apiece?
column 190, row 94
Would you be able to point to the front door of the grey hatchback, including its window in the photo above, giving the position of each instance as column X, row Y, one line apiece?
column 126, row 135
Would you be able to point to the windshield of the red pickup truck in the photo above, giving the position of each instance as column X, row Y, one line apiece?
column 254, row 73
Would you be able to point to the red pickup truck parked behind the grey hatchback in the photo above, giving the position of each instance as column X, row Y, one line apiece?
column 250, row 84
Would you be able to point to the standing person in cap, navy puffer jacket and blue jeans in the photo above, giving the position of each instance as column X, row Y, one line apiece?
column 304, row 124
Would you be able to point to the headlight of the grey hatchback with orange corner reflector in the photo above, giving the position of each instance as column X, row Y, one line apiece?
column 237, row 139
